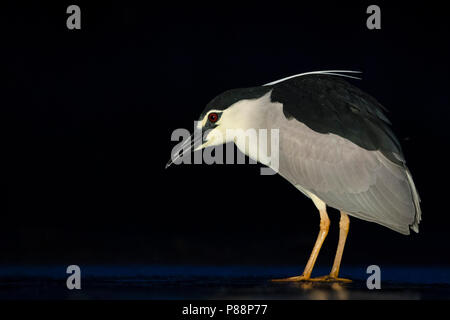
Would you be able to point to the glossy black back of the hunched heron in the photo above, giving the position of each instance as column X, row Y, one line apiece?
column 329, row 104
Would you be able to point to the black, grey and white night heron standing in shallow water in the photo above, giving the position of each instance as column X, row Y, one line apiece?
column 336, row 146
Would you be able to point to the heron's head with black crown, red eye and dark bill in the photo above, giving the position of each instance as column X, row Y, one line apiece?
column 229, row 110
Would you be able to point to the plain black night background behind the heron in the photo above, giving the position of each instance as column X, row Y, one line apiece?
column 88, row 115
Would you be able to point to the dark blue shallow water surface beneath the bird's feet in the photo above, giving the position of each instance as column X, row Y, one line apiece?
column 214, row 282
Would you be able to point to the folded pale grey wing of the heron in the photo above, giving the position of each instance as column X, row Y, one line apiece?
column 363, row 183
